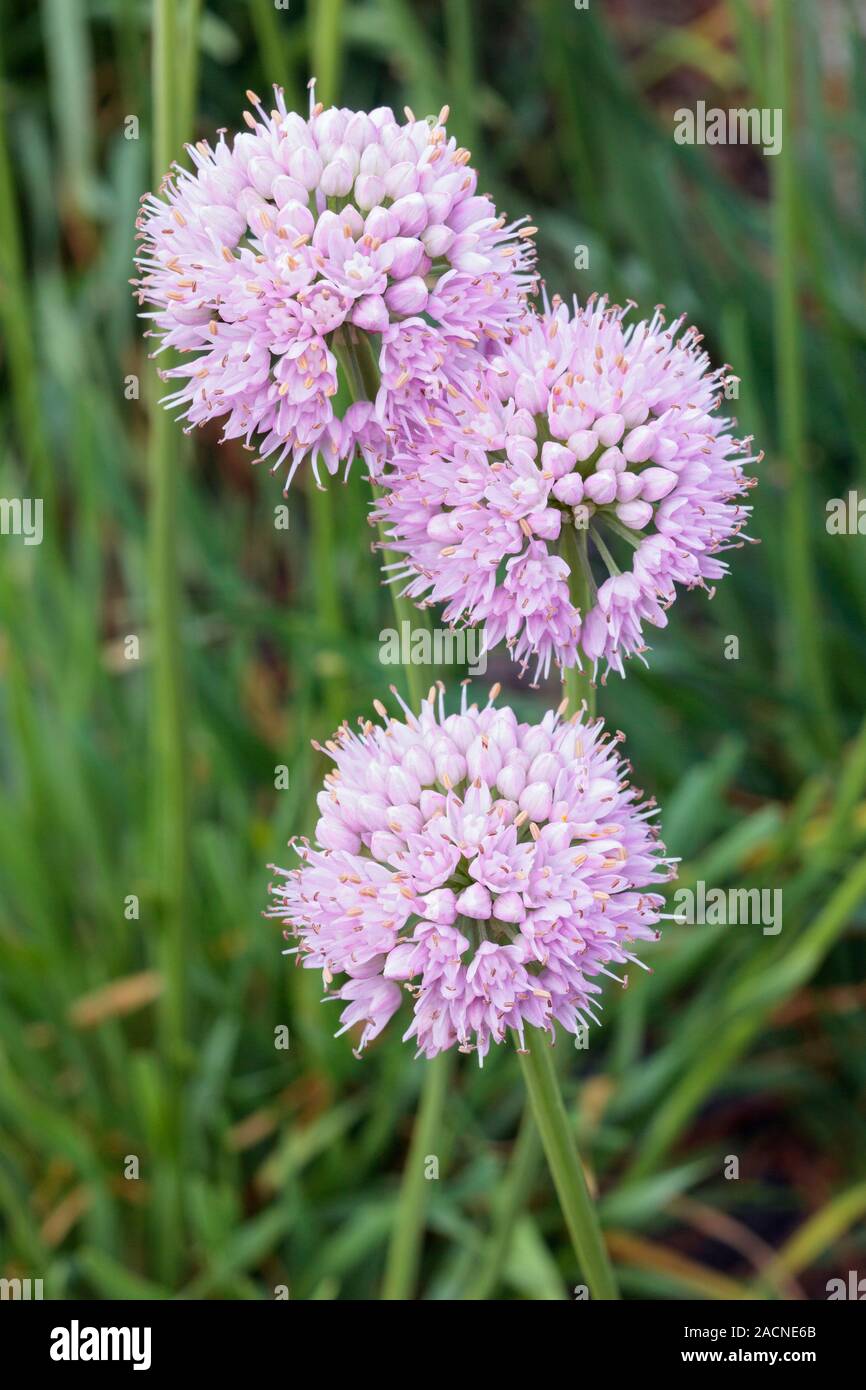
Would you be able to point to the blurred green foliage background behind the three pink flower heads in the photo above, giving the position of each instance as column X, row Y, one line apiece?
column 154, row 1035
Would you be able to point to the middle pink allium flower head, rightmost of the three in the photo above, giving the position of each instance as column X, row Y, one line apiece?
column 589, row 458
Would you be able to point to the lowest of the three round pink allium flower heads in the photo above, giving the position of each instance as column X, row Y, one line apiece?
column 489, row 867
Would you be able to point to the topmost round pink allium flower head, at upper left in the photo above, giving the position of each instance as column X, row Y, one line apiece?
column 304, row 243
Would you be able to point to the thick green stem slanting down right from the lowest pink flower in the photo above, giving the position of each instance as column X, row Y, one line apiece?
column 566, row 1171
